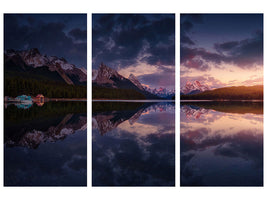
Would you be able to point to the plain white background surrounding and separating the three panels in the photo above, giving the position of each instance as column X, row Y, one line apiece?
column 128, row 6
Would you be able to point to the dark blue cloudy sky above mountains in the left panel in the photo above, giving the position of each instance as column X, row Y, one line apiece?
column 61, row 35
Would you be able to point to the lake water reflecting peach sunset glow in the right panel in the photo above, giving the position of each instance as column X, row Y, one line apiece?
column 221, row 144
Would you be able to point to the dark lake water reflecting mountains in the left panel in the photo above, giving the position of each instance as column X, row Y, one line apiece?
column 45, row 145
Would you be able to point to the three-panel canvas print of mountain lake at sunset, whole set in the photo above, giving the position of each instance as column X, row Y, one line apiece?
column 133, row 97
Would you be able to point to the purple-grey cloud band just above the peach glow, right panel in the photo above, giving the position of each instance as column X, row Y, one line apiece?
column 245, row 54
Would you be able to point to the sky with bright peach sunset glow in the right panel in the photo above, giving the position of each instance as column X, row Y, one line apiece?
column 221, row 50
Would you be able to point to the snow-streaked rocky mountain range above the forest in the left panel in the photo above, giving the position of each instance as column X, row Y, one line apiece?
column 35, row 65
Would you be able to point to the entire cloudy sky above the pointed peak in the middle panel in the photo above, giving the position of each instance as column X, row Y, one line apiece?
column 141, row 44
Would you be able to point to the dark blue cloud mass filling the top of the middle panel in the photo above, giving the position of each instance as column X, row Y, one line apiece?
column 120, row 40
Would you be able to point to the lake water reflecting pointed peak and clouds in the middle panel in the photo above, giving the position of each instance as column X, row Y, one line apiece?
column 133, row 144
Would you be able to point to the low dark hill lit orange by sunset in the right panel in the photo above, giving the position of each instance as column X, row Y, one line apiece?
column 229, row 93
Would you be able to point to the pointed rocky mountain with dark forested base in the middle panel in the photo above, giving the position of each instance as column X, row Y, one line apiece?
column 107, row 80
